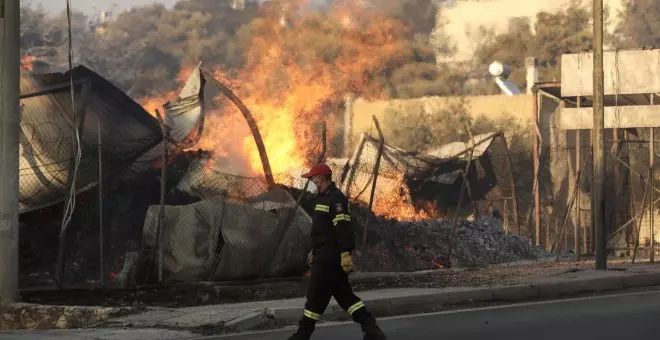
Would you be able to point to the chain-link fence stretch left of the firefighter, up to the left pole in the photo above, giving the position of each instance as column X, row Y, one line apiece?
column 105, row 243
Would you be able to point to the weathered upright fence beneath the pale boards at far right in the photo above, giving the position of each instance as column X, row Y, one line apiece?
column 566, row 189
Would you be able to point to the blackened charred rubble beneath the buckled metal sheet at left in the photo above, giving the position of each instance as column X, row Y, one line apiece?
column 125, row 206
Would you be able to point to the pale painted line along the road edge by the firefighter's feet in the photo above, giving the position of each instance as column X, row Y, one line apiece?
column 653, row 290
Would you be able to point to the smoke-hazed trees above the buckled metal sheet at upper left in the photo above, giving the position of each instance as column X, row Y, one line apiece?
column 142, row 50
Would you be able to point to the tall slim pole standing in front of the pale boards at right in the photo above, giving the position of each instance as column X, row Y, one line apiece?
column 598, row 141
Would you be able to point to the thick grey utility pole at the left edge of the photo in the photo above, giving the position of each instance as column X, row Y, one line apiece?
column 9, row 128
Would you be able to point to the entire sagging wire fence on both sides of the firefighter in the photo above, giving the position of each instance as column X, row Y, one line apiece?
column 105, row 242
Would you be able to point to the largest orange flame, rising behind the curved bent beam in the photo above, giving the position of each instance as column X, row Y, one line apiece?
column 294, row 77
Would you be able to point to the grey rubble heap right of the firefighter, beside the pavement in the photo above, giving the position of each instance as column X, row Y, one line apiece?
column 423, row 245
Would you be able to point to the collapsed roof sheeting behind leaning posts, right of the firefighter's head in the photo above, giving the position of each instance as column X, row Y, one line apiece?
column 432, row 176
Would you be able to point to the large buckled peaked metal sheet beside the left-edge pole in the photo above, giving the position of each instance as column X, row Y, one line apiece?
column 47, row 134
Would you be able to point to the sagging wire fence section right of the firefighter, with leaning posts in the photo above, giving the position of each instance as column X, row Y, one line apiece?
column 462, row 178
